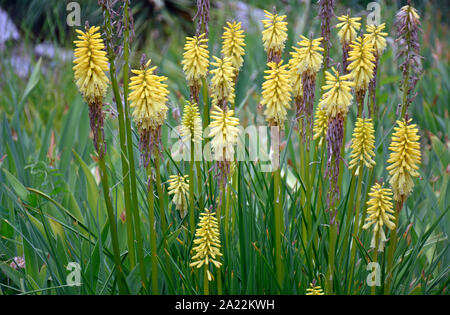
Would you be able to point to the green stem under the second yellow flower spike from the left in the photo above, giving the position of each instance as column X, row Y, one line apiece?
column 151, row 215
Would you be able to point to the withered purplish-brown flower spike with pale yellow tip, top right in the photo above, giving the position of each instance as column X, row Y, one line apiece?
column 407, row 24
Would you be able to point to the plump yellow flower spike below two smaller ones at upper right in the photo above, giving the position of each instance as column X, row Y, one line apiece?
column 362, row 63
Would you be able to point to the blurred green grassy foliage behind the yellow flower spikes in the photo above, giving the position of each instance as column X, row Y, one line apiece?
column 45, row 145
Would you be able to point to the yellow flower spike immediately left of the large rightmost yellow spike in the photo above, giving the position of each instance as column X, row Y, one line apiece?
column 363, row 144
